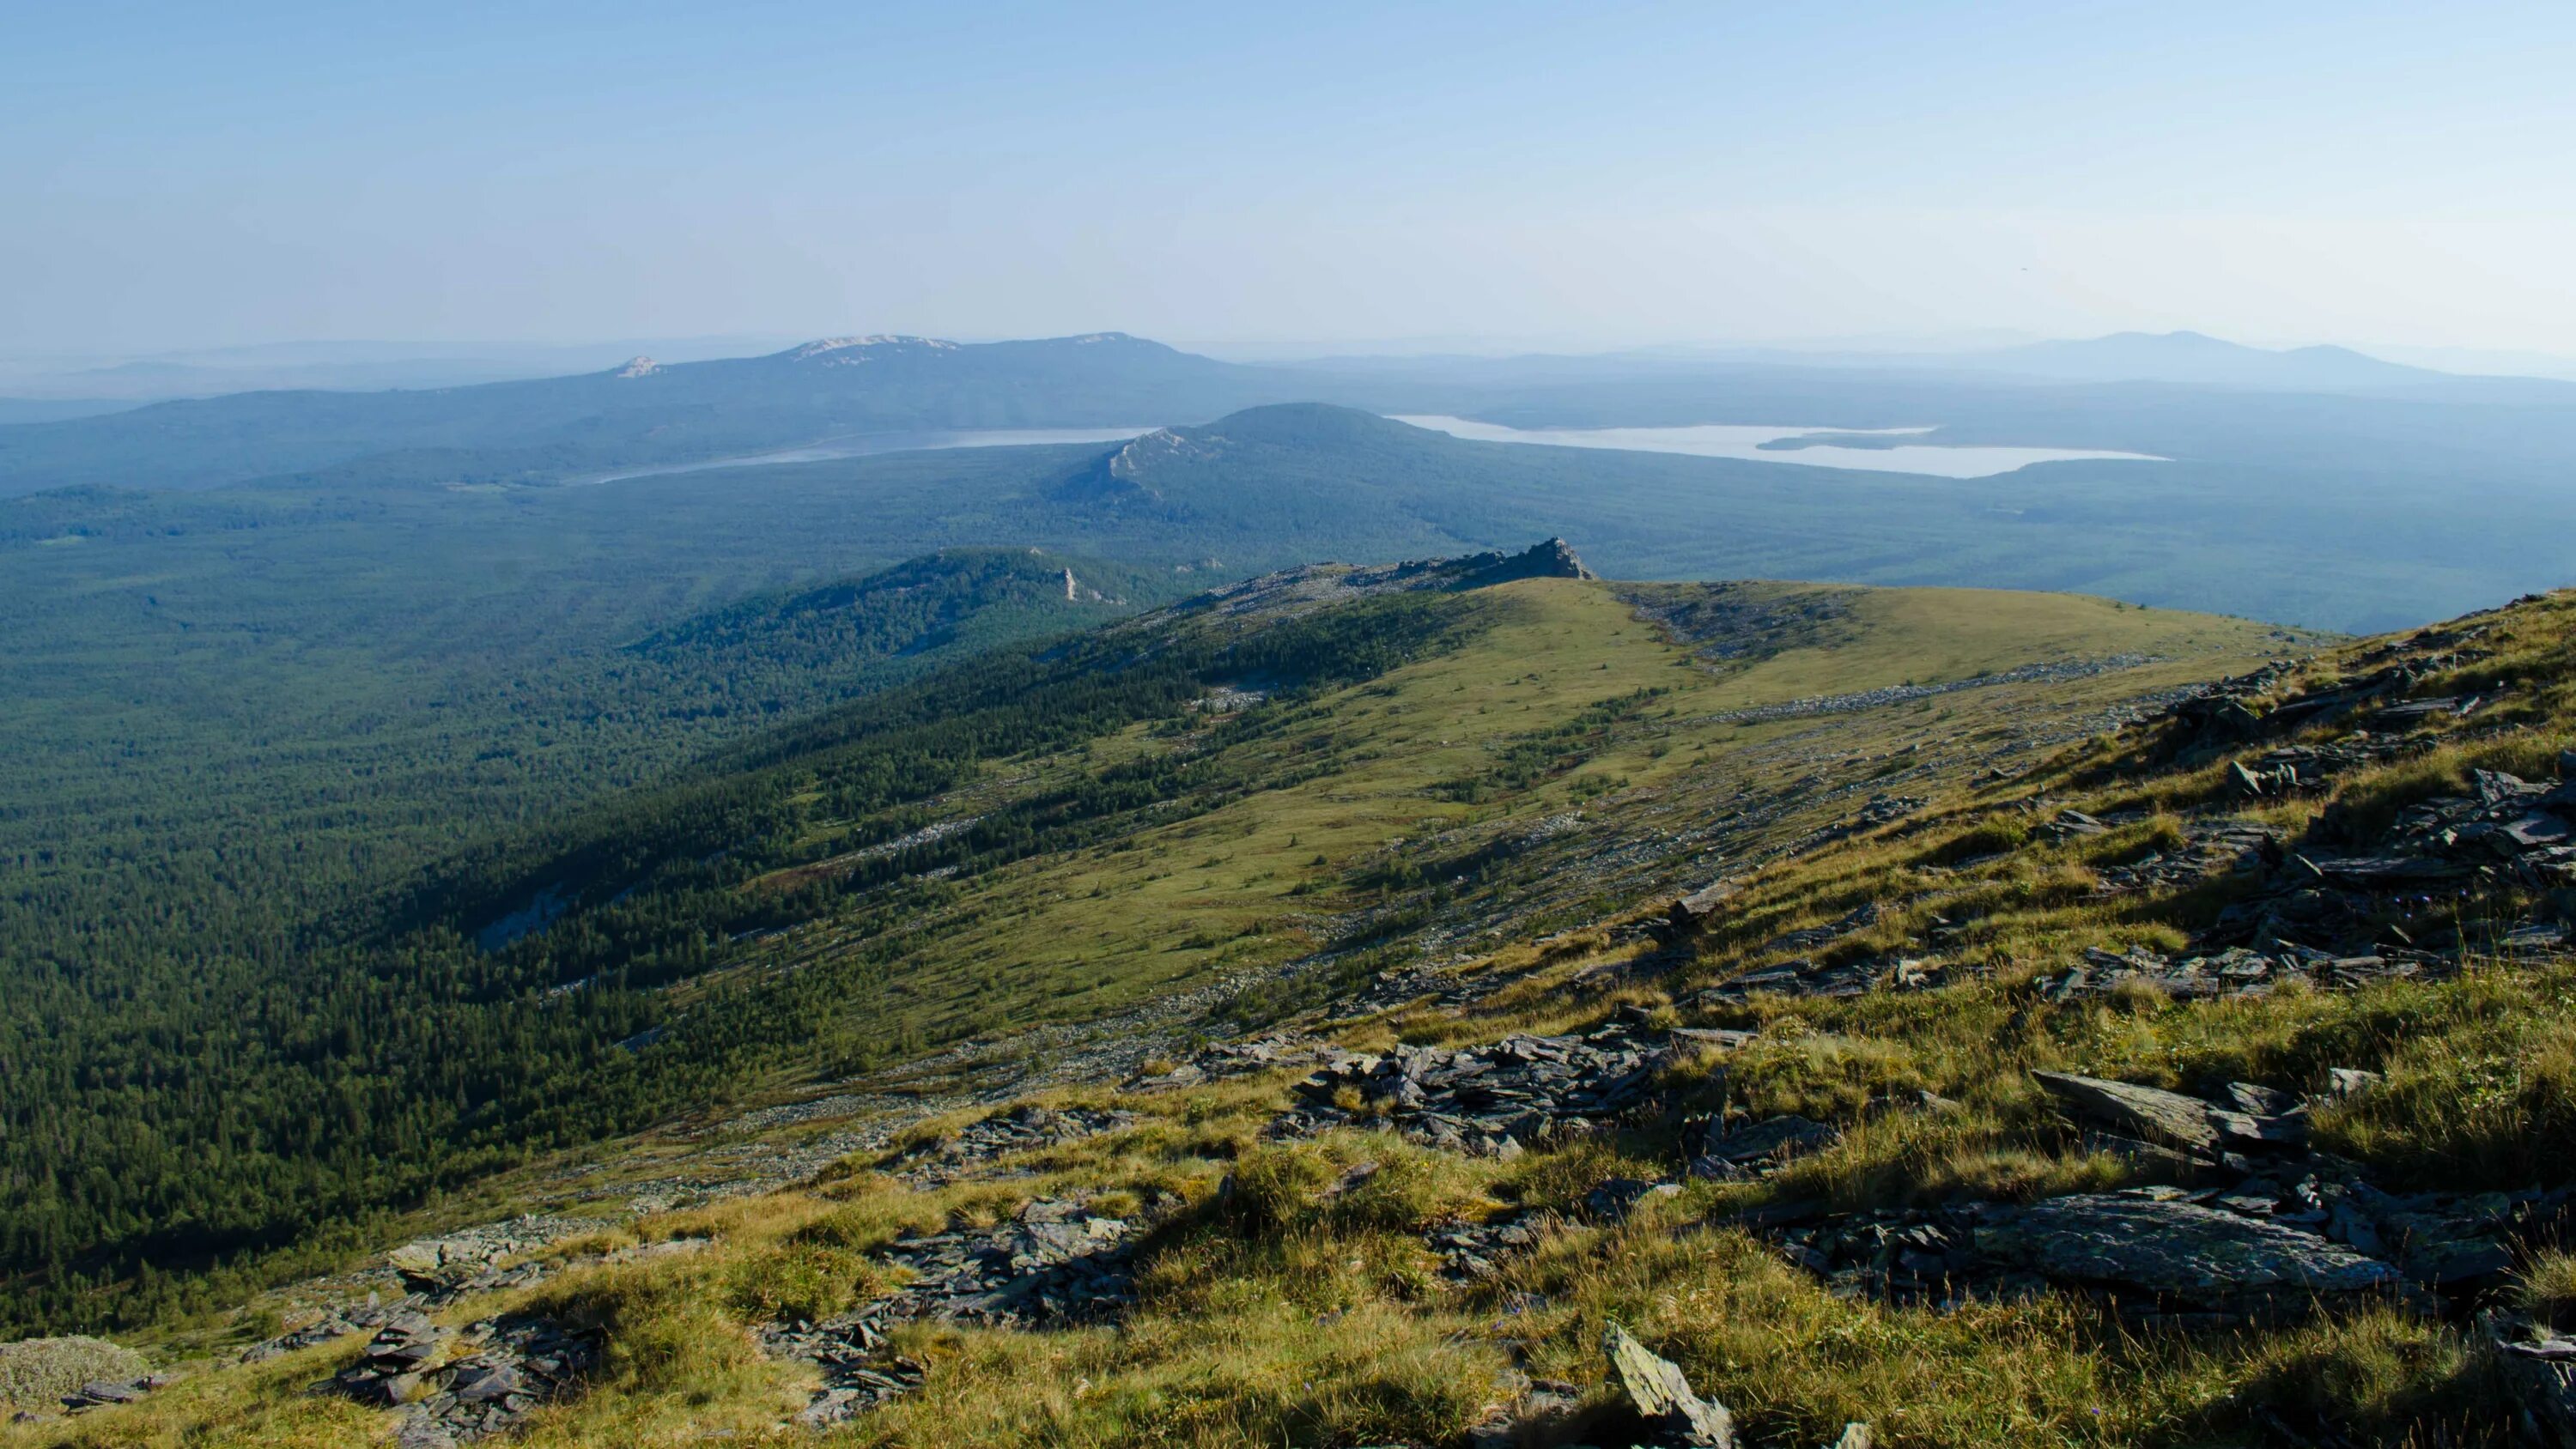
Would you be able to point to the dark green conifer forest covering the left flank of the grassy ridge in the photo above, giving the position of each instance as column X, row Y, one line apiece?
column 200, row 1093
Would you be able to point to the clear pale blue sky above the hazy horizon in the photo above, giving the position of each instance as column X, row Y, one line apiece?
column 1287, row 176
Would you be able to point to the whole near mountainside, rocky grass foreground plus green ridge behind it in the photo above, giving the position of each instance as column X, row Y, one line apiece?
column 1328, row 1008
